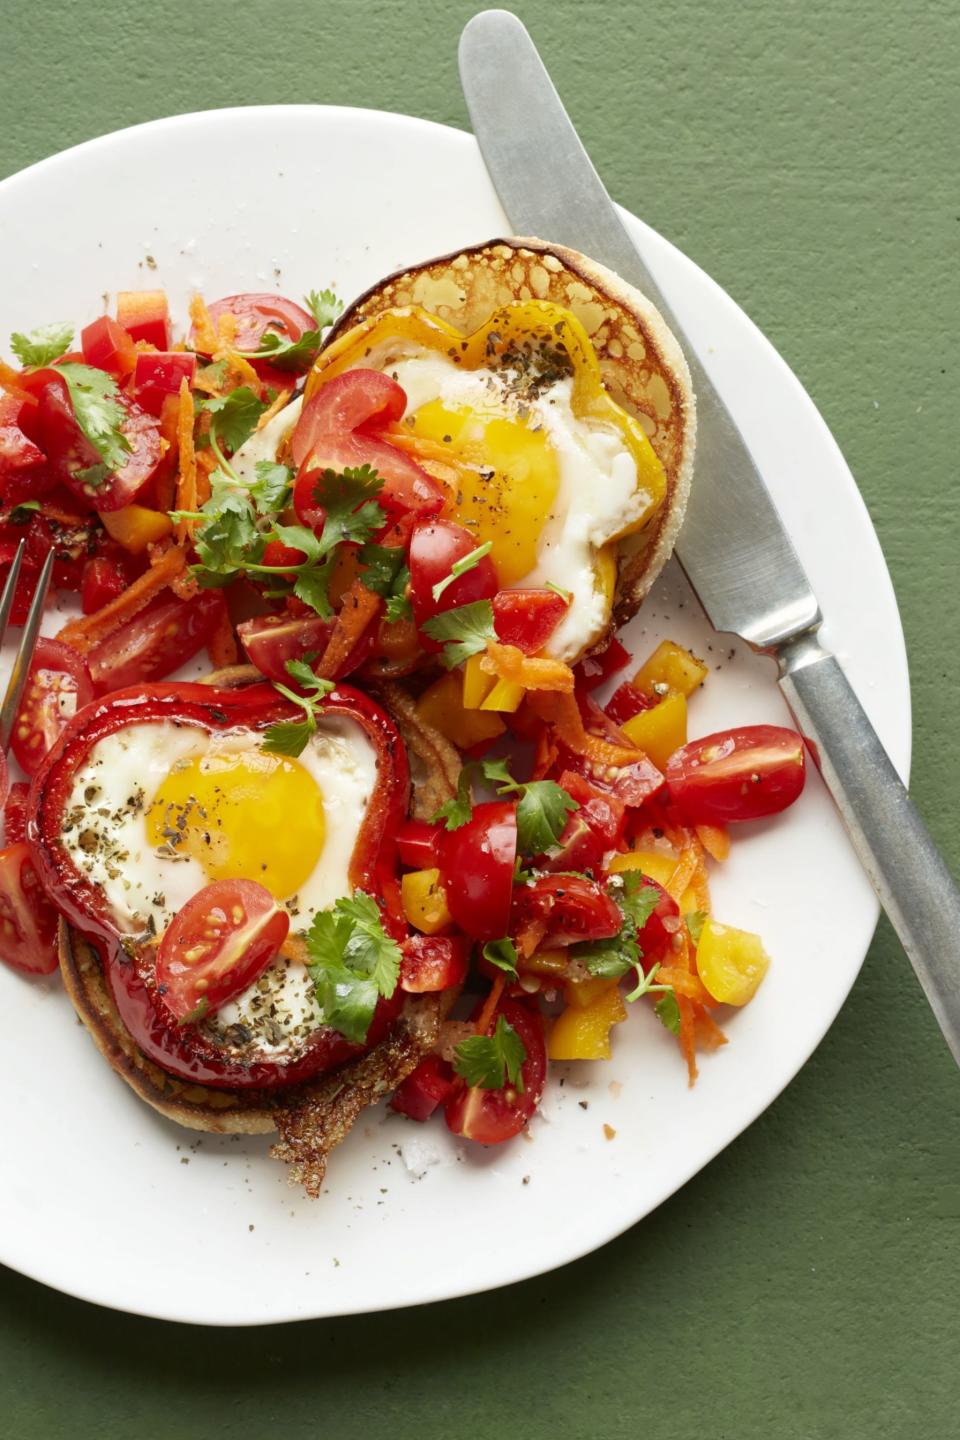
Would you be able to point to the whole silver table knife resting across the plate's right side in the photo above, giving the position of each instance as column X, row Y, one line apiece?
column 733, row 546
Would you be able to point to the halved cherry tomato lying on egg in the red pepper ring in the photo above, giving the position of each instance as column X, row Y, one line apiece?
column 219, row 944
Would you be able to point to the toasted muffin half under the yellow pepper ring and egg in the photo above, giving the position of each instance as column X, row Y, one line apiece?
column 641, row 362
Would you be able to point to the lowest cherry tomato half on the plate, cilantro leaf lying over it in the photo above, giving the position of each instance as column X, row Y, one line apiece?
column 492, row 1117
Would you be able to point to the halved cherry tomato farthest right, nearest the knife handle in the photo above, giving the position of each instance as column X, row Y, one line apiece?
column 736, row 775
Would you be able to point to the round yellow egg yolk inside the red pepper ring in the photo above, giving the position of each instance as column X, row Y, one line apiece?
column 243, row 816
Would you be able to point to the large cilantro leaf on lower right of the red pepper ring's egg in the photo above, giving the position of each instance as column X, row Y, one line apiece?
column 352, row 963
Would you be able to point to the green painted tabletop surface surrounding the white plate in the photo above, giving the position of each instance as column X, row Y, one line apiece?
column 808, row 1284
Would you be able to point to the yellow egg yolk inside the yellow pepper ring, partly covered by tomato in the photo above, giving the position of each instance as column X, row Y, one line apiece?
column 509, row 480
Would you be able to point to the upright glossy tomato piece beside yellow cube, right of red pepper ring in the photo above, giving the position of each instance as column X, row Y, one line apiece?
column 479, row 870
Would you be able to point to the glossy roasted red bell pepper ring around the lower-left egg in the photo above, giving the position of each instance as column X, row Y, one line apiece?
column 188, row 1050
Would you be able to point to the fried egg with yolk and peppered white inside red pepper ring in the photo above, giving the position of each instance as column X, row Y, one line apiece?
column 162, row 810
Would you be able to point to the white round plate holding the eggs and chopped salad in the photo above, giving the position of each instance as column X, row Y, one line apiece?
column 106, row 1200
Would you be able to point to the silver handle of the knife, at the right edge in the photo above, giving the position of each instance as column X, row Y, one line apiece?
column 889, row 836
